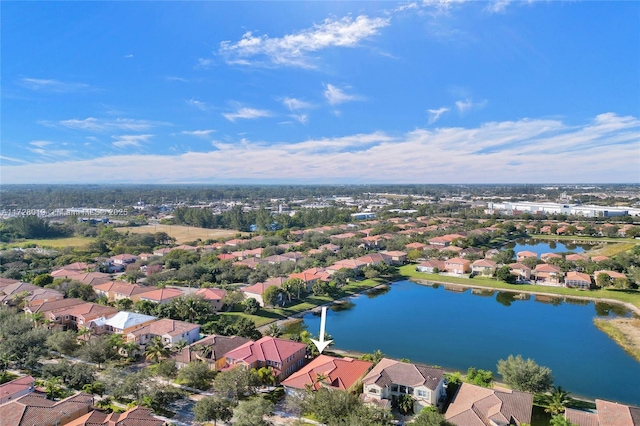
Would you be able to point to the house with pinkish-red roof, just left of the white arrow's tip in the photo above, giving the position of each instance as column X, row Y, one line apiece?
column 284, row 356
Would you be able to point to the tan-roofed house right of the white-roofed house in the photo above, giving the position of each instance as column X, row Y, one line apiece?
column 170, row 331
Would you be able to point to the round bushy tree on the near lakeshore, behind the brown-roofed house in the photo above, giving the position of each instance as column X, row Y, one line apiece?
column 524, row 375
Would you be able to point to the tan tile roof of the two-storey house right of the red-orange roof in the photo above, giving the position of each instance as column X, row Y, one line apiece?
column 389, row 371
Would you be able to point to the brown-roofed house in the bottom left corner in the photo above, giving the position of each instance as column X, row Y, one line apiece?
column 36, row 409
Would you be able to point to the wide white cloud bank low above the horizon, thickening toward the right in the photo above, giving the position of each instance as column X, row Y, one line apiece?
column 522, row 151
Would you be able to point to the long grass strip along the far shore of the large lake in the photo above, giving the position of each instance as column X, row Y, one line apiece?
column 626, row 296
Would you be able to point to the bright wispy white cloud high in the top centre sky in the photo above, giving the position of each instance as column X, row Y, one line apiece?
column 292, row 49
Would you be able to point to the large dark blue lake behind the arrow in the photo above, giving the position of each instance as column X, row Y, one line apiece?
column 457, row 330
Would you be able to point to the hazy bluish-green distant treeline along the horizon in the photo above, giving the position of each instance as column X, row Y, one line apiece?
column 112, row 196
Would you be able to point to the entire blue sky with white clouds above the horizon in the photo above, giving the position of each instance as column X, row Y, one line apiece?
column 441, row 91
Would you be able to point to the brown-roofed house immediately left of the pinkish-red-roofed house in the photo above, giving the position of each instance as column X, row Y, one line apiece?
column 211, row 350
